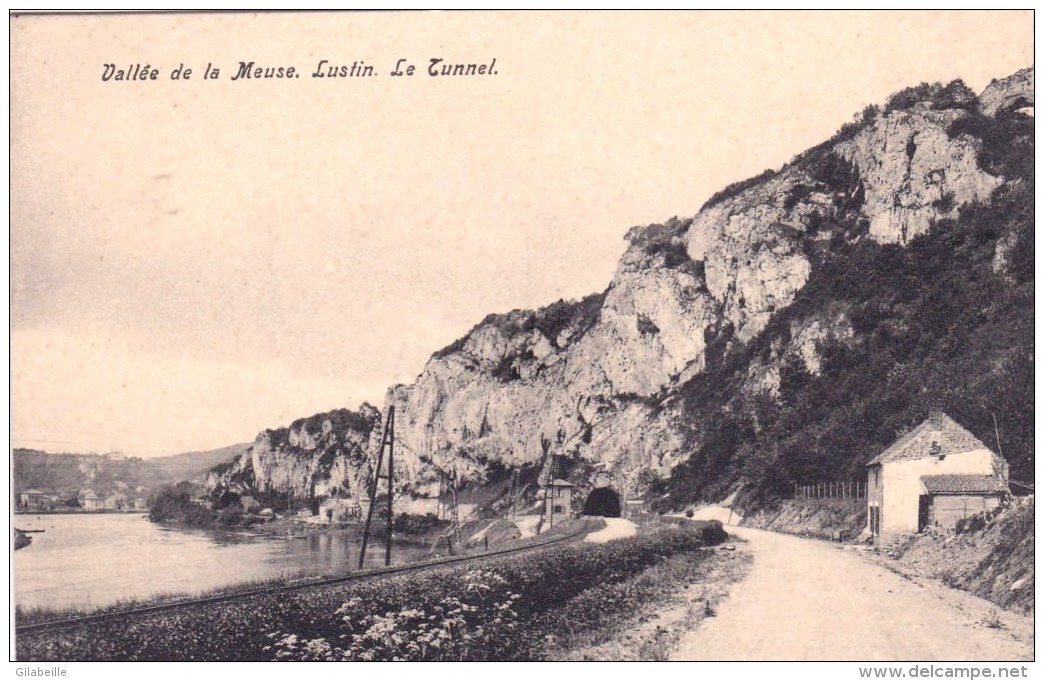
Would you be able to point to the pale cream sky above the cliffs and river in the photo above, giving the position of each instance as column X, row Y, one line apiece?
column 195, row 262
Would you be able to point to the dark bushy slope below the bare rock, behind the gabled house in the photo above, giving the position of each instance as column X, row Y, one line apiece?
column 946, row 322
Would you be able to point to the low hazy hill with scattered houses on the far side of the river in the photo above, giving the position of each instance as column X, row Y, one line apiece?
column 66, row 474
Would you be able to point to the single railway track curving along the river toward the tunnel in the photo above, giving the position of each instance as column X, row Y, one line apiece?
column 30, row 630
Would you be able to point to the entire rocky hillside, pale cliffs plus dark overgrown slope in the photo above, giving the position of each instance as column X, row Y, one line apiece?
column 784, row 334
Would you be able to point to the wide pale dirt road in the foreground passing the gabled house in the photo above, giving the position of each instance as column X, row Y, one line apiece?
column 806, row 600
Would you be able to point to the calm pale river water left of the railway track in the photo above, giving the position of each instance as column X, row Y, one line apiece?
column 93, row 560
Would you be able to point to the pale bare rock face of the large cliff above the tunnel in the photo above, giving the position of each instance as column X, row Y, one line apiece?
column 602, row 383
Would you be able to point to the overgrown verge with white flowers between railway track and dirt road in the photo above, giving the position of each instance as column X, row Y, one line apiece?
column 514, row 603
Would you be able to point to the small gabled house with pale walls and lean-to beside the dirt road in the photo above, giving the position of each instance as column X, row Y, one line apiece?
column 935, row 476
